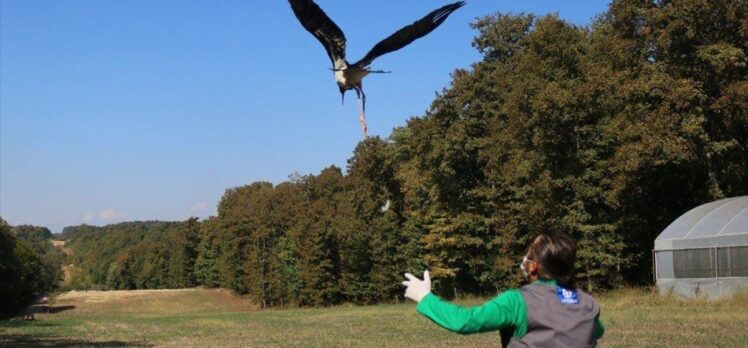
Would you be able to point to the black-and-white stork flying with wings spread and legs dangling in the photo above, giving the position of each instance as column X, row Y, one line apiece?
column 348, row 76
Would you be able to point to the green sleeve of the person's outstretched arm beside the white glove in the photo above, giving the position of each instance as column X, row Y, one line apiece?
column 504, row 311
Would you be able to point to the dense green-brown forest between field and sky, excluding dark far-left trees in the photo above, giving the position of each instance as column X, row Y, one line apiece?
column 607, row 132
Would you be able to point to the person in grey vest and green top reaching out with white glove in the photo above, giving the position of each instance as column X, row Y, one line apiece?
column 547, row 312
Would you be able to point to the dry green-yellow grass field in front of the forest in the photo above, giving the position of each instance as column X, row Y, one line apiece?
column 634, row 318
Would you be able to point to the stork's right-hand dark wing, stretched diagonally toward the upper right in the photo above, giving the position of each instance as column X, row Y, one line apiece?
column 410, row 33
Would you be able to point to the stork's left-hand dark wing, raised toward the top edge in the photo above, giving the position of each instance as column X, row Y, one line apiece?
column 315, row 21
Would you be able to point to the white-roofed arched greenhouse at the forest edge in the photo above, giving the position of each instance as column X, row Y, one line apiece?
column 704, row 253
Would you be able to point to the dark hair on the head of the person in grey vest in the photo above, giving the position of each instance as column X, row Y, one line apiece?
column 556, row 254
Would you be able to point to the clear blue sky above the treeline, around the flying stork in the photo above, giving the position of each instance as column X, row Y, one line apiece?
column 138, row 110
